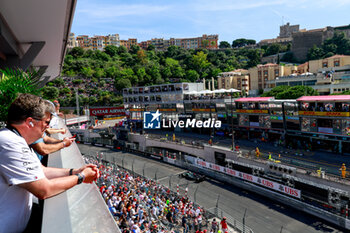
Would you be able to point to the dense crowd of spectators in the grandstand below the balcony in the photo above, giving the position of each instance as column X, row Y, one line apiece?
column 139, row 204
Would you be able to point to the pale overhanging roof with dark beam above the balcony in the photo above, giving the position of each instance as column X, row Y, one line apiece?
column 35, row 33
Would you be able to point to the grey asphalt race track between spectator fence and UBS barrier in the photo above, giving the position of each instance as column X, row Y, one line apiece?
column 262, row 214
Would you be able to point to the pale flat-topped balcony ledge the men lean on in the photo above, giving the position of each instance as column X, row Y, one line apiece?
column 80, row 209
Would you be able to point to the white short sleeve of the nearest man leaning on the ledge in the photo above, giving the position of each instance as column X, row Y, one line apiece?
column 19, row 164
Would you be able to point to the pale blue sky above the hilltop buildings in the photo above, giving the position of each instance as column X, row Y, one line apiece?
column 231, row 19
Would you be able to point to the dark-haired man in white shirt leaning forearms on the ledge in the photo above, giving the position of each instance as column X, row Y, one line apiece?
column 21, row 173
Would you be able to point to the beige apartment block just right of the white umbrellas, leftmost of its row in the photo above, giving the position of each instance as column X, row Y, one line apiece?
column 237, row 79
